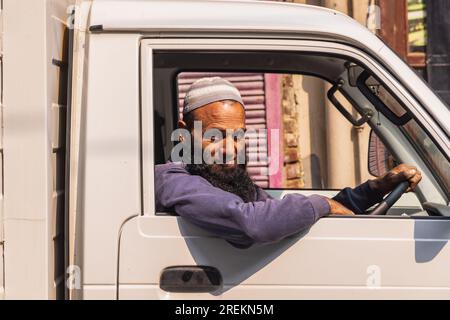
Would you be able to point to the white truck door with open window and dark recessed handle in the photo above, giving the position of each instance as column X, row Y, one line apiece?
column 162, row 256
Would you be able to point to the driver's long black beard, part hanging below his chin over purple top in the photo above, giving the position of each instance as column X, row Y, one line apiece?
column 234, row 180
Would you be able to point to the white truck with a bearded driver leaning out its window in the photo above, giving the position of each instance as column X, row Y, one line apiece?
column 89, row 99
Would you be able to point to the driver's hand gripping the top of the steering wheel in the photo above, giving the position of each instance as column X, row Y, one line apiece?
column 394, row 177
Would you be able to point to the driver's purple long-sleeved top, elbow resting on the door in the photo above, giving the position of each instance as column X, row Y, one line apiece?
column 244, row 223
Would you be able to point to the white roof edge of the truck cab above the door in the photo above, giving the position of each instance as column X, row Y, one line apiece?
column 234, row 17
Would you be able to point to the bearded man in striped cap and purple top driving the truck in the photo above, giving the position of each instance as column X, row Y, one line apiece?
column 223, row 199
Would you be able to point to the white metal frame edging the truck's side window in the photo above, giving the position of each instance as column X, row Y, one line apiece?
column 149, row 45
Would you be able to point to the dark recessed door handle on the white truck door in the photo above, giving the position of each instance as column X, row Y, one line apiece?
column 190, row 279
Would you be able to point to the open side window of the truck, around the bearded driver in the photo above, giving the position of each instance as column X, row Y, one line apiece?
column 323, row 105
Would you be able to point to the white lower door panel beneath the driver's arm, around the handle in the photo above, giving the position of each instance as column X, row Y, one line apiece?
column 338, row 257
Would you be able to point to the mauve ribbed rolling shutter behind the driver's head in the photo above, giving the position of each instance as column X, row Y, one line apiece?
column 251, row 86
